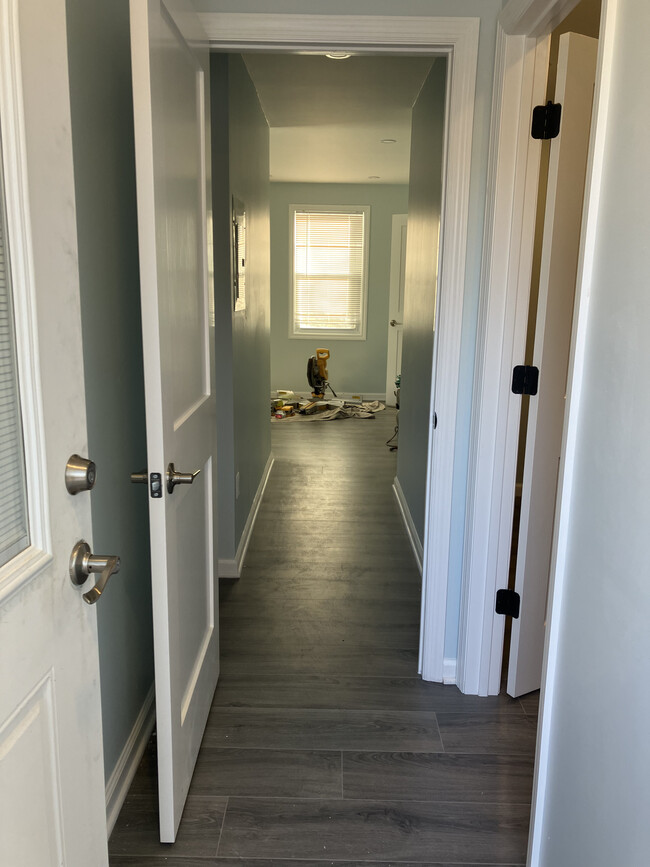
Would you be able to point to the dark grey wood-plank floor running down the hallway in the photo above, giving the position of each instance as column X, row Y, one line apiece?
column 323, row 745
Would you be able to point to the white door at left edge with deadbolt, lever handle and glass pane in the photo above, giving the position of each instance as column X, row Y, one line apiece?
column 52, row 802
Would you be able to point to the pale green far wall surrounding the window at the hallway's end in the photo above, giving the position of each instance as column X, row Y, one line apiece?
column 355, row 365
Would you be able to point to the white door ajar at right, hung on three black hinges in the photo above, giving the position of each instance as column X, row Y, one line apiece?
column 559, row 263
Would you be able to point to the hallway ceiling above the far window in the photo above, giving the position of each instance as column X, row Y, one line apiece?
column 327, row 117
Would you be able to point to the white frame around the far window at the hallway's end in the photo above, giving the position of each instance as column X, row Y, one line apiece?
column 331, row 333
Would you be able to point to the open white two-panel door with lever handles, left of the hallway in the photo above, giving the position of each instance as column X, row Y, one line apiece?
column 171, row 104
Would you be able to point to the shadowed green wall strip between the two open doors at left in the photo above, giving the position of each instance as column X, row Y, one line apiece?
column 102, row 131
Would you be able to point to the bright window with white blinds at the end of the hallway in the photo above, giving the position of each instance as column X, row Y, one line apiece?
column 329, row 250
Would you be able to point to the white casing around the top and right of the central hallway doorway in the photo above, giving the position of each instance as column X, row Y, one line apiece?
column 457, row 39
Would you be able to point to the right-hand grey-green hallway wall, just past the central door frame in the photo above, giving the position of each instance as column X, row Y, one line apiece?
column 420, row 290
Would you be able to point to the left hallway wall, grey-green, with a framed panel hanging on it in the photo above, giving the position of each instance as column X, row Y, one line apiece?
column 241, row 169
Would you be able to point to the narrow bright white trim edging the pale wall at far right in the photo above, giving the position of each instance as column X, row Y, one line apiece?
column 559, row 554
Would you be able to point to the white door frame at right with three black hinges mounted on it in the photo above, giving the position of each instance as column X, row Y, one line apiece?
column 520, row 81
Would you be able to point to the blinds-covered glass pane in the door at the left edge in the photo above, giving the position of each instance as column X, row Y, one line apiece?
column 14, row 527
